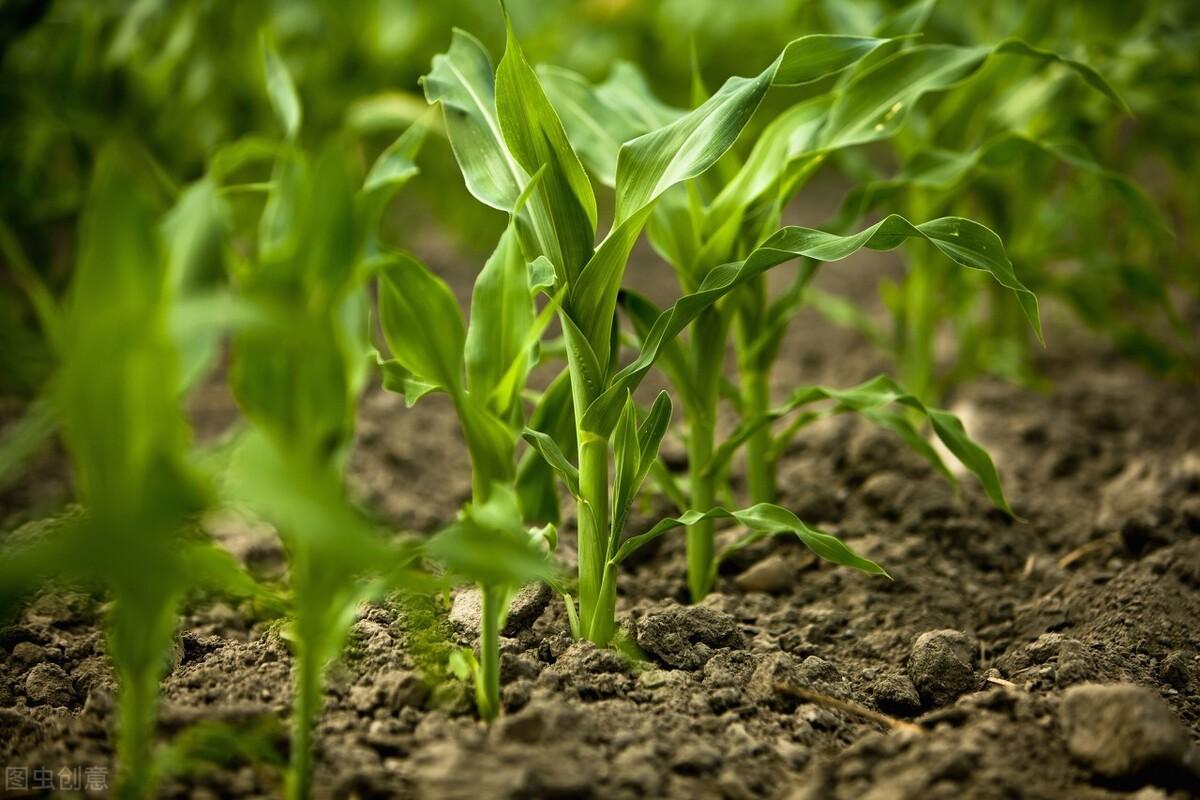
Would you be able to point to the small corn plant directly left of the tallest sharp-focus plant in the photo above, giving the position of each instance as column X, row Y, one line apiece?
column 483, row 368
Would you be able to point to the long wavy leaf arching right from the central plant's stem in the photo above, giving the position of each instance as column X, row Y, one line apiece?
column 964, row 242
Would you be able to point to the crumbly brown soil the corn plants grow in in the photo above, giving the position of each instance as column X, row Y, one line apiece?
column 991, row 639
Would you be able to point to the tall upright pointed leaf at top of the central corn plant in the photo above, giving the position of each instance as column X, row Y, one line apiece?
column 537, row 141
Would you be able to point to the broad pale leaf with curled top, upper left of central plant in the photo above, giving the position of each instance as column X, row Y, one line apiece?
column 463, row 81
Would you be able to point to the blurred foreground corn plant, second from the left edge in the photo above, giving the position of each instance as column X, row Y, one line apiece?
column 298, row 371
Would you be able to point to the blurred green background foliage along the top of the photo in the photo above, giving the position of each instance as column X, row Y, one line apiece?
column 183, row 77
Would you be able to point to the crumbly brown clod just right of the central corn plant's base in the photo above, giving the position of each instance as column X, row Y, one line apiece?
column 687, row 637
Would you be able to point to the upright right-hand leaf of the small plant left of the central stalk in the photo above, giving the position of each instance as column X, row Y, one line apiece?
column 502, row 315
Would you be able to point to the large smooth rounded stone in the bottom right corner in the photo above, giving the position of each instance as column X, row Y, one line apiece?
column 1125, row 731
